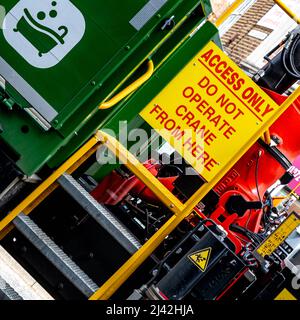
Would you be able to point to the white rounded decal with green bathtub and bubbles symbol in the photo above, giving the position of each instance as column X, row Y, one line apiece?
column 44, row 32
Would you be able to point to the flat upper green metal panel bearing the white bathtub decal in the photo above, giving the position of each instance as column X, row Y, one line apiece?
column 102, row 39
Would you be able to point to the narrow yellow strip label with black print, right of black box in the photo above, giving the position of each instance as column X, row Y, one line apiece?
column 278, row 236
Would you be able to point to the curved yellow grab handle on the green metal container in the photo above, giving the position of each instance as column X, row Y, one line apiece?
column 131, row 88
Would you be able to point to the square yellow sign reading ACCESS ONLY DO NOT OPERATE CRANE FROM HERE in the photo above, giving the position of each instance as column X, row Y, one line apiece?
column 209, row 111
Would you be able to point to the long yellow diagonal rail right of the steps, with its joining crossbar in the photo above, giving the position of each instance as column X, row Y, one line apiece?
column 181, row 211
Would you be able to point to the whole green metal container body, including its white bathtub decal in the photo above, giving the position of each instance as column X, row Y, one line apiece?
column 95, row 62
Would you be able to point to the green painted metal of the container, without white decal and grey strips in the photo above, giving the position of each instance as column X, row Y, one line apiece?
column 110, row 50
